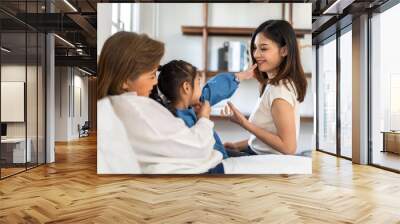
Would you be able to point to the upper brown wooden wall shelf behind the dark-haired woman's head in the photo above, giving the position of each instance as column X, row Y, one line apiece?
column 229, row 31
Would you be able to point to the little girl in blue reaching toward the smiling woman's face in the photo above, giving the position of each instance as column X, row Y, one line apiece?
column 179, row 82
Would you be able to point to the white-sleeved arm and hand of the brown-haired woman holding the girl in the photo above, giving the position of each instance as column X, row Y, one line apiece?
column 154, row 131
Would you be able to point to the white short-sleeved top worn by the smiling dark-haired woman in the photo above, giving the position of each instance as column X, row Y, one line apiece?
column 262, row 116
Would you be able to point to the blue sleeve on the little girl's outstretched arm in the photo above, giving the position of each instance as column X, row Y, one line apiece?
column 218, row 88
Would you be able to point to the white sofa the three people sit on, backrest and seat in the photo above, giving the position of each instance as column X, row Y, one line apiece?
column 113, row 146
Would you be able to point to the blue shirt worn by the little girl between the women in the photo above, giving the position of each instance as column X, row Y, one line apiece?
column 218, row 88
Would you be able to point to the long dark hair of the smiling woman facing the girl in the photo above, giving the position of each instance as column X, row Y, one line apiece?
column 282, row 33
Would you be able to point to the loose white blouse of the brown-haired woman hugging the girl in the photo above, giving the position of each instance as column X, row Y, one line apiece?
column 161, row 142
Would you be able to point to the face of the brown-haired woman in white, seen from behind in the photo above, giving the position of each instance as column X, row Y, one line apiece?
column 143, row 84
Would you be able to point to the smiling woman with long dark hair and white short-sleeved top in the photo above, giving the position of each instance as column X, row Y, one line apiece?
column 274, row 123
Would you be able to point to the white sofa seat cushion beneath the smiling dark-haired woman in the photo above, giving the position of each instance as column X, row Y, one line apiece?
column 268, row 164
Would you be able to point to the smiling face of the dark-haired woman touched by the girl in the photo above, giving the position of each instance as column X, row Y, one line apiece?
column 267, row 54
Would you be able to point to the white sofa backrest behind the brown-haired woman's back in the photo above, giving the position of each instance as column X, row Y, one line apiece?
column 114, row 151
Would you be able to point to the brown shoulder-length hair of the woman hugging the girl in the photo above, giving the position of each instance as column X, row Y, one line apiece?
column 126, row 55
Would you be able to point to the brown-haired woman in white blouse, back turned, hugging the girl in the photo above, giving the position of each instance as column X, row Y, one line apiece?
column 161, row 142
